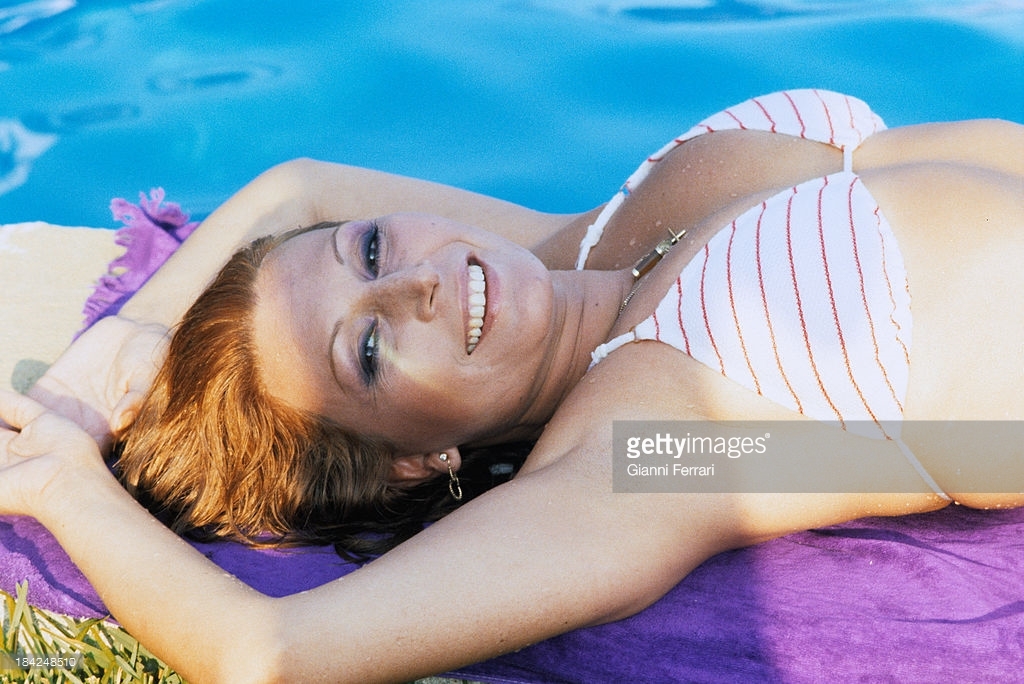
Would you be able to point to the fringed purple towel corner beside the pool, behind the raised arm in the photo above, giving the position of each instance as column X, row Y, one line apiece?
column 153, row 232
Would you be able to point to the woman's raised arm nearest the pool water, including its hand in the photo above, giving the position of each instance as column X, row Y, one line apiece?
column 99, row 380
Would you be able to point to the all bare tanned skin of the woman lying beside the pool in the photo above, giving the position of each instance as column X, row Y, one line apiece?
column 556, row 548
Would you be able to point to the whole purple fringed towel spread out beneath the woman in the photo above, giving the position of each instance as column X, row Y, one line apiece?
column 923, row 598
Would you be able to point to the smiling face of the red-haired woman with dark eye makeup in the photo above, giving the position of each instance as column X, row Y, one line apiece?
column 377, row 326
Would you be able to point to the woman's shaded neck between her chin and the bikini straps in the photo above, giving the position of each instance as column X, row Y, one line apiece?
column 586, row 309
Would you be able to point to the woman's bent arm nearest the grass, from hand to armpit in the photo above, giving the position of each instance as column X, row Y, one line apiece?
column 526, row 563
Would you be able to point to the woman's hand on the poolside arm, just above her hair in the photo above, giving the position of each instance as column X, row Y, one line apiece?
column 100, row 381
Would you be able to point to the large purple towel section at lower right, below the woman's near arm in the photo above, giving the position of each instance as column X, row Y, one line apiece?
column 924, row 598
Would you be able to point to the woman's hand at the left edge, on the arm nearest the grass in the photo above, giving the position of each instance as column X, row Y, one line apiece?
column 39, row 449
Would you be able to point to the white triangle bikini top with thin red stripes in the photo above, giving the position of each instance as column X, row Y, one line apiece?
column 804, row 297
